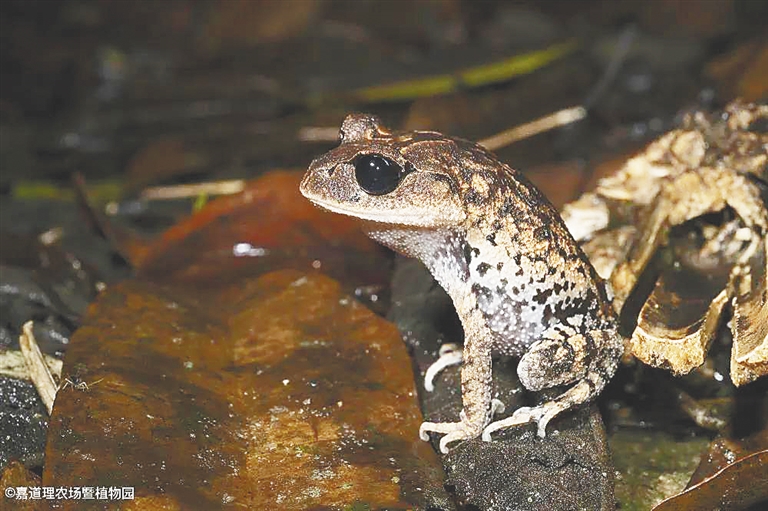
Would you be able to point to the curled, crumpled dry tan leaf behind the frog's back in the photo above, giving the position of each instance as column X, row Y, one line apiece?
column 691, row 208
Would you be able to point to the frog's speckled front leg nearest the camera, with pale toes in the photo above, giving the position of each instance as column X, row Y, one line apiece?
column 478, row 407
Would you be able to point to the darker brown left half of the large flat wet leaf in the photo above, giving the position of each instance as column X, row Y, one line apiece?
column 153, row 411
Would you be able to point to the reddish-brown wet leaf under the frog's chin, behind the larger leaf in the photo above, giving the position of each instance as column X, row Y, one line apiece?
column 267, row 226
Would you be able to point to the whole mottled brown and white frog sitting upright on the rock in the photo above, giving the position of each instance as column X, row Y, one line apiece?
column 519, row 282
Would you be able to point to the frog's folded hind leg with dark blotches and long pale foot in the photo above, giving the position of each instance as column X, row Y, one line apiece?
column 561, row 357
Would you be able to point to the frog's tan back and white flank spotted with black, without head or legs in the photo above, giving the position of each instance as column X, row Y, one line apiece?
column 525, row 270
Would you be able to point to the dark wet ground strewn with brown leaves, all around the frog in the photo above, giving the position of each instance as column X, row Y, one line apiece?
column 231, row 350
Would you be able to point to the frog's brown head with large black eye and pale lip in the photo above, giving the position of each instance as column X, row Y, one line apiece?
column 404, row 179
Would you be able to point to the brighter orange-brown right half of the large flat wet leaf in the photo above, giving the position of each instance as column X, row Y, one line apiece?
column 332, row 415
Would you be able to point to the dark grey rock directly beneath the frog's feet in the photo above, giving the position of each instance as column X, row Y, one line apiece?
column 569, row 469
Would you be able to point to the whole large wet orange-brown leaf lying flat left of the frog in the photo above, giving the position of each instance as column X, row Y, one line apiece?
column 289, row 396
